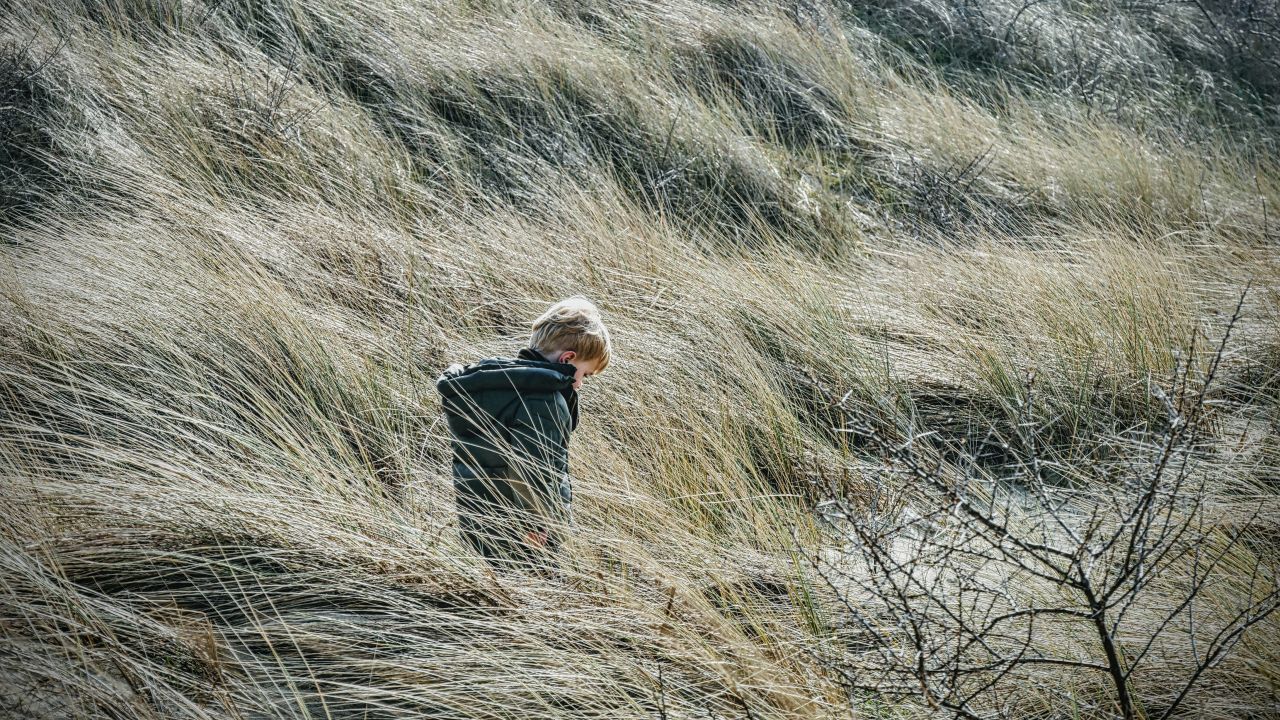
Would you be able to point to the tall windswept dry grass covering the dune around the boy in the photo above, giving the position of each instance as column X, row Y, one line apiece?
column 245, row 239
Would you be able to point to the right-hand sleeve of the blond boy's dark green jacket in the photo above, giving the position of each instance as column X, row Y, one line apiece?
column 541, row 443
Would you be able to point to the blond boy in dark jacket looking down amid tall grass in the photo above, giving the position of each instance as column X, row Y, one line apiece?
column 510, row 421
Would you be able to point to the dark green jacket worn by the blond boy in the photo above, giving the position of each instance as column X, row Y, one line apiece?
column 510, row 421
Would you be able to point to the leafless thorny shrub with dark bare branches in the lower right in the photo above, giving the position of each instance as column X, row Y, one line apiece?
column 1126, row 575
